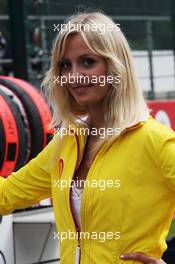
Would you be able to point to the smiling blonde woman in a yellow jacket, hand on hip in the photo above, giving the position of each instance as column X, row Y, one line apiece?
column 110, row 167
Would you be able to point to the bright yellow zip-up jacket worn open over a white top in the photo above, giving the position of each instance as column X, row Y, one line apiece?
column 141, row 208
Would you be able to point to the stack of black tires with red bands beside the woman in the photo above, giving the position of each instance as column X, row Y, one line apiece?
column 24, row 120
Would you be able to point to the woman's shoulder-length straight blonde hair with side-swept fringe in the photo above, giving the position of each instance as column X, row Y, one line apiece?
column 124, row 103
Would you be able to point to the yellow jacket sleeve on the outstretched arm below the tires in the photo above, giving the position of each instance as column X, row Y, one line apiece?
column 29, row 184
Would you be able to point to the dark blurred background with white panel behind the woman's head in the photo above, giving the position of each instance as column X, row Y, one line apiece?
column 27, row 32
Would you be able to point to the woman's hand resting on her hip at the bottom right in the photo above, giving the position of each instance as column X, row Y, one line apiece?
column 142, row 258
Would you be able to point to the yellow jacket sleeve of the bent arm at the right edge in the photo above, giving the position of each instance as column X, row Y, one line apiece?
column 167, row 159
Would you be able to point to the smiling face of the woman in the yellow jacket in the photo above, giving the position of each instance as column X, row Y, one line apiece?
column 80, row 67
